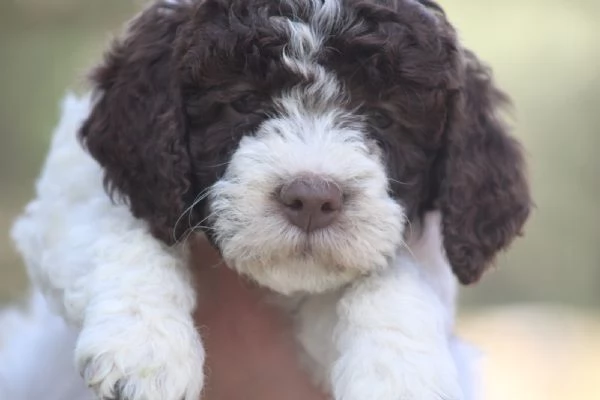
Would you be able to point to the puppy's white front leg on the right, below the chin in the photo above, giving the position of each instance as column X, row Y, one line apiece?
column 393, row 340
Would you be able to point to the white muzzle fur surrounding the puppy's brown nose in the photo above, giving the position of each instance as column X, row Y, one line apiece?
column 255, row 237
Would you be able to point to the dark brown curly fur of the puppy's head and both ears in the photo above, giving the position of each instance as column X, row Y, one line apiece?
column 191, row 78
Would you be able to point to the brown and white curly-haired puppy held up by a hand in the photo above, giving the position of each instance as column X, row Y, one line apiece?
column 308, row 140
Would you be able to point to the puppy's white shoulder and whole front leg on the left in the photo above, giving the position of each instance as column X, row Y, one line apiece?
column 103, row 271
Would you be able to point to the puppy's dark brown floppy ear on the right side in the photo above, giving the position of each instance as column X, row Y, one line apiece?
column 484, row 194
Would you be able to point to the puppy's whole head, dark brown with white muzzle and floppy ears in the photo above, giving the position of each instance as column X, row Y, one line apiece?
column 301, row 135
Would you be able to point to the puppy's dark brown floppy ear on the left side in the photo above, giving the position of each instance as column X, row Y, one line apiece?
column 136, row 129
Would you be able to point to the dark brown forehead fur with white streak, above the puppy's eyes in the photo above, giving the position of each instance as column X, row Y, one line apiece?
column 388, row 43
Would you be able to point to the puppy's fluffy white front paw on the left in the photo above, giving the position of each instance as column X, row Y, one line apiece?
column 137, row 359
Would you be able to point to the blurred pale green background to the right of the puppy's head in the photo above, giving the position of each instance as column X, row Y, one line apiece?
column 546, row 54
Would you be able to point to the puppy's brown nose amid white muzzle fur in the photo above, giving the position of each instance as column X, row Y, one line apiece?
column 311, row 203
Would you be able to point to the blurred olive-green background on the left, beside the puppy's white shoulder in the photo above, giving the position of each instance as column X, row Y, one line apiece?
column 46, row 48
